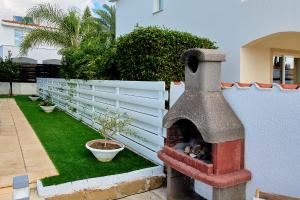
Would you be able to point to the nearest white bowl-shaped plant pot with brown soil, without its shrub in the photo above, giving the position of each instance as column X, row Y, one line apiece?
column 104, row 154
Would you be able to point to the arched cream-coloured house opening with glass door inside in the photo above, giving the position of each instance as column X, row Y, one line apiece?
column 273, row 58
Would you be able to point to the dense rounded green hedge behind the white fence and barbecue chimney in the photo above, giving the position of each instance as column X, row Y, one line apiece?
column 153, row 53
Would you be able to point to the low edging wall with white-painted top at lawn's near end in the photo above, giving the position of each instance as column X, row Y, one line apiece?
column 144, row 177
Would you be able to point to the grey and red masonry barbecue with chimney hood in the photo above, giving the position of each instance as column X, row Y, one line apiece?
column 205, row 138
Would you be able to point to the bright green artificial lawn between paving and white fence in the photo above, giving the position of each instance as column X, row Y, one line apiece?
column 64, row 139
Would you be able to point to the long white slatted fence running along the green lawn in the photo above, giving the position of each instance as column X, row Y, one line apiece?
column 144, row 102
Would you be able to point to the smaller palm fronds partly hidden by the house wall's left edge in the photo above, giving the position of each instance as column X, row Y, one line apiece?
column 107, row 17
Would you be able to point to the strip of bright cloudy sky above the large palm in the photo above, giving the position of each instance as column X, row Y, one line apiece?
column 10, row 8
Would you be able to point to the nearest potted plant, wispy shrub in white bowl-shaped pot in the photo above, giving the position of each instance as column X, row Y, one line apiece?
column 111, row 123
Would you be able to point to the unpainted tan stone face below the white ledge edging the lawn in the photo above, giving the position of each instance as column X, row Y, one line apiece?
column 119, row 191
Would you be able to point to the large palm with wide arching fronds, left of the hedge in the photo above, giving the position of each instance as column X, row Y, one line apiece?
column 59, row 28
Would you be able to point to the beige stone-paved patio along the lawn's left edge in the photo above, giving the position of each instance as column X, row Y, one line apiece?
column 20, row 150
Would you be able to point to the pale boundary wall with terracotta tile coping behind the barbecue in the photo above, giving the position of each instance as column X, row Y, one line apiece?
column 272, row 136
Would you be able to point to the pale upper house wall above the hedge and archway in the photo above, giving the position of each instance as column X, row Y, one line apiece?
column 231, row 23
